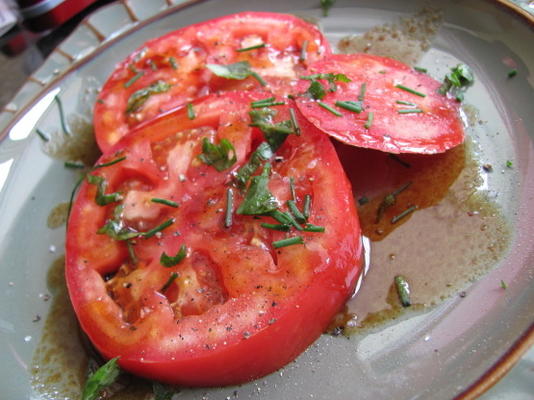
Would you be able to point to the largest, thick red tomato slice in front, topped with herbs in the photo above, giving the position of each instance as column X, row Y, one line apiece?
column 239, row 308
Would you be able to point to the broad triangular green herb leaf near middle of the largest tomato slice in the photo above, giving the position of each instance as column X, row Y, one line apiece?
column 258, row 199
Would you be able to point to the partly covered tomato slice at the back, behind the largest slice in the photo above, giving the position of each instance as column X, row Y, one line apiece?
column 179, row 59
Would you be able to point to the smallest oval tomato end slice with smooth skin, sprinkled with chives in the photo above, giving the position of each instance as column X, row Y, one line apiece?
column 395, row 127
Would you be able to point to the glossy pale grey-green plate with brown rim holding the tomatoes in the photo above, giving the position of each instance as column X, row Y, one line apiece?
column 455, row 349
